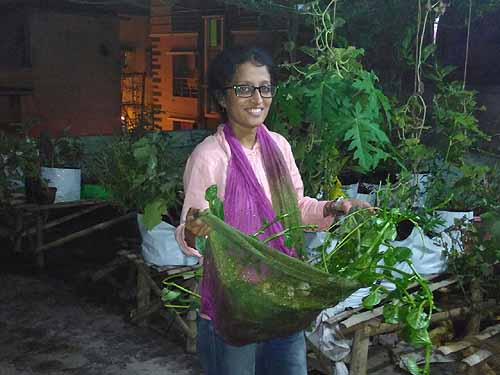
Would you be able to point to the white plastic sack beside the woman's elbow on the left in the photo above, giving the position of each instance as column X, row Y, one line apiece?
column 160, row 247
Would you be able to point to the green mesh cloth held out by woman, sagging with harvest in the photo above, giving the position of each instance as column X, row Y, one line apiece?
column 259, row 292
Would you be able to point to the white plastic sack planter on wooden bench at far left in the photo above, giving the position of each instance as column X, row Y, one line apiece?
column 66, row 180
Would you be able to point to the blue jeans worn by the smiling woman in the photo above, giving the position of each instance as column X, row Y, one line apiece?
column 280, row 356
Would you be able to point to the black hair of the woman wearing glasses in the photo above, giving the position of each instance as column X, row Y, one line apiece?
column 224, row 65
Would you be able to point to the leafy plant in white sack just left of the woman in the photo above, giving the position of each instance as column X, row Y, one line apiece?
column 140, row 173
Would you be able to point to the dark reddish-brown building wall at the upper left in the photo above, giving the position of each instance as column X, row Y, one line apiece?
column 59, row 69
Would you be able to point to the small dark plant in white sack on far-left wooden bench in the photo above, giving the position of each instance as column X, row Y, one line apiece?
column 61, row 164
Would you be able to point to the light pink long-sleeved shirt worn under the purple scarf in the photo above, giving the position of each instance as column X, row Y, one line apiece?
column 207, row 166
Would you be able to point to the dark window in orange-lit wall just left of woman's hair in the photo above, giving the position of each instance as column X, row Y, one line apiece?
column 185, row 80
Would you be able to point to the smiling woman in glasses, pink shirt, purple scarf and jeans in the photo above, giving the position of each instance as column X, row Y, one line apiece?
column 238, row 158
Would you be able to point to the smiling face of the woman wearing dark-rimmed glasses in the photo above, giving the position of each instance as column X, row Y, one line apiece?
column 247, row 113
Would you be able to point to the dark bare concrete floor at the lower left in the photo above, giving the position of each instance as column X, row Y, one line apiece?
column 46, row 328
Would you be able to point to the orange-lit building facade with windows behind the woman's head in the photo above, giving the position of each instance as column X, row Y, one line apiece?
column 185, row 37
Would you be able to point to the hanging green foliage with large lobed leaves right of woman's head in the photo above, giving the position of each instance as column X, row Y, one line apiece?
column 331, row 107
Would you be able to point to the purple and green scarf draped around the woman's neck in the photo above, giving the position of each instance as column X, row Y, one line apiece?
column 246, row 205
